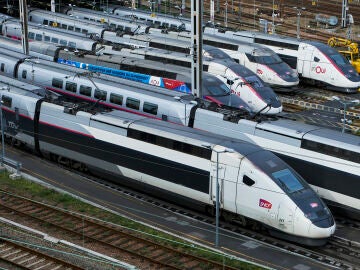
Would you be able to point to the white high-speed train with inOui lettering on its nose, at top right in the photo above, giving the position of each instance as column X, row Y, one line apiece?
column 316, row 62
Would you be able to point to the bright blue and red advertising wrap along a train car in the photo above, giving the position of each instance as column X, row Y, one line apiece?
column 133, row 76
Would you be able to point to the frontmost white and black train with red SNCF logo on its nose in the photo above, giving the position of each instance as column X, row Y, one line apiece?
column 176, row 163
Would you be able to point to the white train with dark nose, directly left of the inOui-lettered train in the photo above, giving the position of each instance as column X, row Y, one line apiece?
column 261, row 61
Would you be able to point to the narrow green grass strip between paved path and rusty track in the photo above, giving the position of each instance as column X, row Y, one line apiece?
column 42, row 194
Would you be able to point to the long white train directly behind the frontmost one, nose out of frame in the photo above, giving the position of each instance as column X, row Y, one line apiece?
column 331, row 154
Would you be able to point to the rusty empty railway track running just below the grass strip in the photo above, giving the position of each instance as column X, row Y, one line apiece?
column 116, row 238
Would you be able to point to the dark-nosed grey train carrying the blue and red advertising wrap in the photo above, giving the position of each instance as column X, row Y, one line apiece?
column 213, row 89
